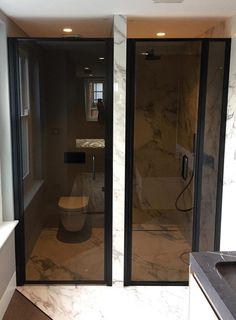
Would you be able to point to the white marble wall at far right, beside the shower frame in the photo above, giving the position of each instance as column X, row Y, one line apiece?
column 226, row 29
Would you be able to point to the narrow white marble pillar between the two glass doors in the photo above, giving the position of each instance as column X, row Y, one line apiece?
column 119, row 110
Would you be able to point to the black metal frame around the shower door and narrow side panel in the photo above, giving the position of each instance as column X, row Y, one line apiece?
column 130, row 95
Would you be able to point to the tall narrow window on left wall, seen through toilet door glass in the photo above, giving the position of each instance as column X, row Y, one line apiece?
column 25, row 108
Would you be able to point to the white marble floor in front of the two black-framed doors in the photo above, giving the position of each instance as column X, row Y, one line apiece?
column 110, row 303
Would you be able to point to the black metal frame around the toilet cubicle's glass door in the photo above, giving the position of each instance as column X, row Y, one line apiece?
column 17, row 161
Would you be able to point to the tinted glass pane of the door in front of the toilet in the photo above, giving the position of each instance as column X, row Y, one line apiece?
column 63, row 186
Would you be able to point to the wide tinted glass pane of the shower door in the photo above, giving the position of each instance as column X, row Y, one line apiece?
column 166, row 103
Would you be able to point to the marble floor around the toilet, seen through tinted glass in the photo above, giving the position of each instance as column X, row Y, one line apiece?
column 52, row 259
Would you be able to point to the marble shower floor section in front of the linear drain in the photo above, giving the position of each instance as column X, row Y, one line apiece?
column 160, row 256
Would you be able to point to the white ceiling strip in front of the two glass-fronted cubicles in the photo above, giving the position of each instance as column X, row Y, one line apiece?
column 95, row 8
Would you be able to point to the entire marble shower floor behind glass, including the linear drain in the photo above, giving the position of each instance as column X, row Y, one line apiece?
column 161, row 242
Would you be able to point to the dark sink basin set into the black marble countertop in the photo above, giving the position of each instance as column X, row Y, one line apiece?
column 227, row 270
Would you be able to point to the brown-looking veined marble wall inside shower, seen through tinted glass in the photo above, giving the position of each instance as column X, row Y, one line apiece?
column 165, row 122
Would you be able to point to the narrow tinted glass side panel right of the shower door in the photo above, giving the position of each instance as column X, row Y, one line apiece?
column 215, row 82
